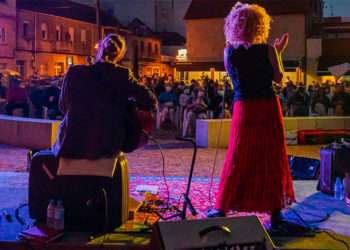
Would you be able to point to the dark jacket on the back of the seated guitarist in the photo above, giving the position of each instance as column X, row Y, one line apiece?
column 93, row 100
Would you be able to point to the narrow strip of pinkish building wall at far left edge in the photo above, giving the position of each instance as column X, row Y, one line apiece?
column 7, row 34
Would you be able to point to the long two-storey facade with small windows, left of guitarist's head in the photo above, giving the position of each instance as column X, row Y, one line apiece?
column 47, row 45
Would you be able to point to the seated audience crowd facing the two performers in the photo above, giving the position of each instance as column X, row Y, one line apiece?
column 180, row 104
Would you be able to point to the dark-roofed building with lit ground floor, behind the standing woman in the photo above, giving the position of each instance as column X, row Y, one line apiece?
column 205, row 37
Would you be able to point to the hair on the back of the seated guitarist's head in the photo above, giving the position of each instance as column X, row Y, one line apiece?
column 111, row 49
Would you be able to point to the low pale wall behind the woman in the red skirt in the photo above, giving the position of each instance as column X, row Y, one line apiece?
column 207, row 131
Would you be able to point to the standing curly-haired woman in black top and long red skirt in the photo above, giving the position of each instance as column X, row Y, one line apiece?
column 256, row 175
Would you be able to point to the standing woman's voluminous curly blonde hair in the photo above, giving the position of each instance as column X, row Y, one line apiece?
column 247, row 24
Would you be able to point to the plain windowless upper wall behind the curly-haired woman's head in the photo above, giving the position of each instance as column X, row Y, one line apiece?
column 206, row 41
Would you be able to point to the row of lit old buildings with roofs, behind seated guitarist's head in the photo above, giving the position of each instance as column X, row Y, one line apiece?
column 42, row 38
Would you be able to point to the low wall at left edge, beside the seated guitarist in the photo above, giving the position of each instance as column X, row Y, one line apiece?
column 27, row 132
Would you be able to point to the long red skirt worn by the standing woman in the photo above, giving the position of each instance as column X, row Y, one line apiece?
column 256, row 175
